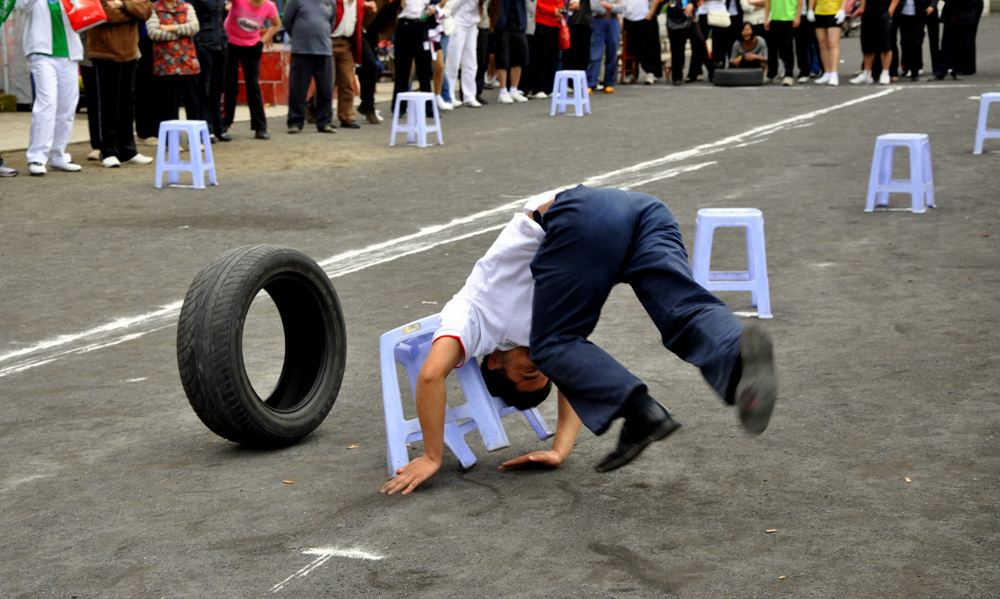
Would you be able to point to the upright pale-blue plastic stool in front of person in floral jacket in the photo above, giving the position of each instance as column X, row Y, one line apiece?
column 201, row 161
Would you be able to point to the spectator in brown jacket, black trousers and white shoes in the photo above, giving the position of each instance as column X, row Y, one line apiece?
column 114, row 49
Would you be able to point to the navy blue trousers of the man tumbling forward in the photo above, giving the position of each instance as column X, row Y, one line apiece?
column 594, row 239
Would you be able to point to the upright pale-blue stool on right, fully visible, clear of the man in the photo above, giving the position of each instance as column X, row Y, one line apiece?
column 920, row 185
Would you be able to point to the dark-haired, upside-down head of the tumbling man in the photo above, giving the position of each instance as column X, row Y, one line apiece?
column 512, row 376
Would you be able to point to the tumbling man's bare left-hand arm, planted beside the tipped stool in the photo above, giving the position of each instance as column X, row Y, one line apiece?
column 432, row 400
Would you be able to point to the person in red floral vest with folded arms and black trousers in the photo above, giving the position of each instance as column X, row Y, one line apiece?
column 171, row 27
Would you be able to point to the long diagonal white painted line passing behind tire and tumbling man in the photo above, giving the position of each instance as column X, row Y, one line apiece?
column 133, row 327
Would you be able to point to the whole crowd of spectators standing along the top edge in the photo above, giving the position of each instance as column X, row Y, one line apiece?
column 147, row 56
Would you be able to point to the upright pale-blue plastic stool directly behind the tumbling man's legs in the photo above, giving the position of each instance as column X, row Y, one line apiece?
column 754, row 279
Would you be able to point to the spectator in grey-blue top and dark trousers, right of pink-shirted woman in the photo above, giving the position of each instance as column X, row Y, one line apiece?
column 309, row 23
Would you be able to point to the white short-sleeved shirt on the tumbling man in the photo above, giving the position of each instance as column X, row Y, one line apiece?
column 493, row 310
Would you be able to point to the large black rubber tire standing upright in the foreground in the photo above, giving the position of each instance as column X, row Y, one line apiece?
column 210, row 346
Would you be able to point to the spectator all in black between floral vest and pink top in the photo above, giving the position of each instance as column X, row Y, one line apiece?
column 210, row 44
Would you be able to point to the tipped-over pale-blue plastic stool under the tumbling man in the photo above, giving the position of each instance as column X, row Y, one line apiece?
column 409, row 345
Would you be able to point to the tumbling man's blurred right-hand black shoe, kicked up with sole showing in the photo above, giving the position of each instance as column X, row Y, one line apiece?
column 757, row 389
